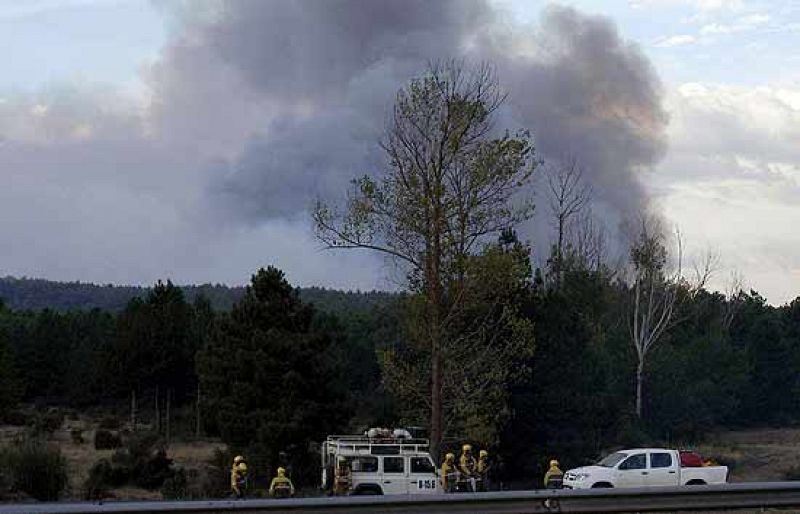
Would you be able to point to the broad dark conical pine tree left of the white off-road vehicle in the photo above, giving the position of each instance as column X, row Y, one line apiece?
column 269, row 378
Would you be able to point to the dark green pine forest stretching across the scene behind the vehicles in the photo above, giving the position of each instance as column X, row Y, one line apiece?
column 732, row 362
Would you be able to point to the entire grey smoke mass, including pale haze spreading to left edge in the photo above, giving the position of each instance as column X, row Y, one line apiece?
column 260, row 106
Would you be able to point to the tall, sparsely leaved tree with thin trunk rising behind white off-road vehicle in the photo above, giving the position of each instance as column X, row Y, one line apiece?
column 449, row 185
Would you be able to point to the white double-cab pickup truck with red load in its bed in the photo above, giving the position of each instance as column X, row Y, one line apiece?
column 643, row 467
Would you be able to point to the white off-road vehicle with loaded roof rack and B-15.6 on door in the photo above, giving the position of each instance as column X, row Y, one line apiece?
column 379, row 462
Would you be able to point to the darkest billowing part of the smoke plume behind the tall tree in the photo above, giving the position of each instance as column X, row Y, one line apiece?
column 329, row 71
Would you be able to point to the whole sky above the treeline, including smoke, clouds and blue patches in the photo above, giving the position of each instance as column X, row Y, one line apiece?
column 142, row 140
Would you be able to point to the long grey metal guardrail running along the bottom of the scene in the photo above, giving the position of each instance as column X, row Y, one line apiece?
column 687, row 498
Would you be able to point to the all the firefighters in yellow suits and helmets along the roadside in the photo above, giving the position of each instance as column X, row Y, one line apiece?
column 469, row 475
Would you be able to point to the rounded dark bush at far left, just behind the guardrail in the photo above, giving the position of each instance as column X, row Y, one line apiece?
column 35, row 469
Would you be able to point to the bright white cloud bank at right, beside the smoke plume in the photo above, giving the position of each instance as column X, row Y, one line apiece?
column 731, row 179
